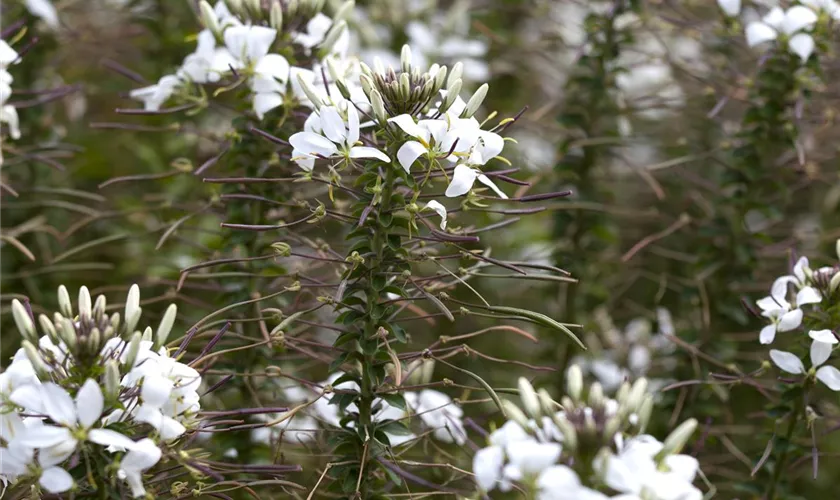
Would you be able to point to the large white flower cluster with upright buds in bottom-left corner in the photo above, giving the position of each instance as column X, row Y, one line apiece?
column 81, row 395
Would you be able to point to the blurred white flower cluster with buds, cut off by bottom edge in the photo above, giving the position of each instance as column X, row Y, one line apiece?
column 586, row 448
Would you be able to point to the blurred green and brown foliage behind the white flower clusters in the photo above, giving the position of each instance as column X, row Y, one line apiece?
column 679, row 203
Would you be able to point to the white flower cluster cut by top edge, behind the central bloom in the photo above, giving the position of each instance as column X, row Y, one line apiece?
column 235, row 45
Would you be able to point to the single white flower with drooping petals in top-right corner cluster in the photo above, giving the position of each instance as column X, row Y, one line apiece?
column 791, row 23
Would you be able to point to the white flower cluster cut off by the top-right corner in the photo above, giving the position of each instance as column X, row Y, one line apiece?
column 793, row 27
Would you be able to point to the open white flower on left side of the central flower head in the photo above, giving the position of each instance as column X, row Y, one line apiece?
column 337, row 138
